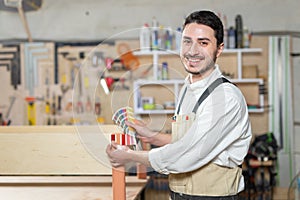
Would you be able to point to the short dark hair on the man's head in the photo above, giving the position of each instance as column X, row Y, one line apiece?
column 207, row 18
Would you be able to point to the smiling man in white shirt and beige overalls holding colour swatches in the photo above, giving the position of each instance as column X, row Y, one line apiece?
column 211, row 131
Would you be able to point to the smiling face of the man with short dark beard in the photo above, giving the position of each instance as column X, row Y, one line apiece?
column 199, row 49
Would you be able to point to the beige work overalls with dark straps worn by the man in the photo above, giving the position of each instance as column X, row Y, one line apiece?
column 211, row 179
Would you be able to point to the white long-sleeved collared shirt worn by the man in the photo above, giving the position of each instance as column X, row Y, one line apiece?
column 221, row 132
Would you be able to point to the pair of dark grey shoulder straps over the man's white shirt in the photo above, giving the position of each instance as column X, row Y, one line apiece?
column 205, row 94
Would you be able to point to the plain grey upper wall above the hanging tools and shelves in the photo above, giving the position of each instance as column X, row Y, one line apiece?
column 94, row 20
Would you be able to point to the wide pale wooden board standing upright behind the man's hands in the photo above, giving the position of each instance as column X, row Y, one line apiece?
column 55, row 150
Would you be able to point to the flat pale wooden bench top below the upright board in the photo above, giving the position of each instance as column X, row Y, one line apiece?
column 65, row 187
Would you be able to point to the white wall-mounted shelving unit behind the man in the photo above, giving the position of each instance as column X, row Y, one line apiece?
column 138, row 109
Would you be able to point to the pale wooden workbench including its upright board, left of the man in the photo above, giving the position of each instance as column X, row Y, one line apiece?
column 59, row 162
